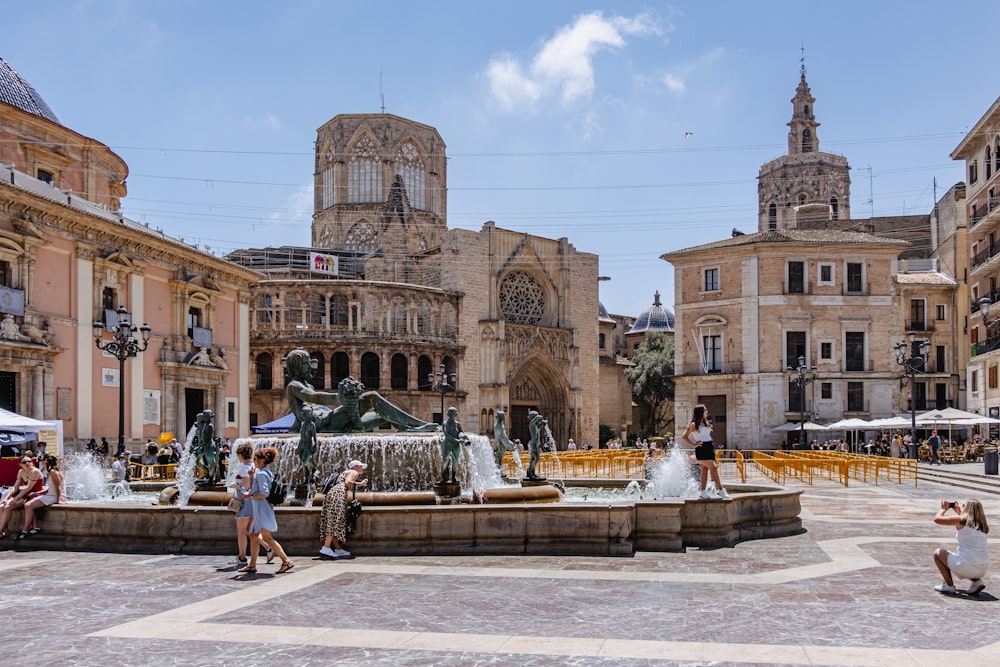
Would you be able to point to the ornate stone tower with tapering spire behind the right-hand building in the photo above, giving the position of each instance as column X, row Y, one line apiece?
column 805, row 189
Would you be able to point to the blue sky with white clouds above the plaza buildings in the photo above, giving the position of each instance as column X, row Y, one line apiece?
column 632, row 129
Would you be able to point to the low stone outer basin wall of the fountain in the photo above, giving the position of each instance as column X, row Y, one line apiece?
column 615, row 528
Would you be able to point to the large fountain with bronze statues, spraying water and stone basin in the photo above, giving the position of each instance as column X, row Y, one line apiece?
column 404, row 516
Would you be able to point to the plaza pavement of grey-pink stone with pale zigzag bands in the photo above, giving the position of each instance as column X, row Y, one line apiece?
column 854, row 588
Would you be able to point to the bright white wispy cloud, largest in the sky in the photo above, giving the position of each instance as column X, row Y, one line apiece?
column 563, row 65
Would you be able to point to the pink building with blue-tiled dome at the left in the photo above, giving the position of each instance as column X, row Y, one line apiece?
column 68, row 259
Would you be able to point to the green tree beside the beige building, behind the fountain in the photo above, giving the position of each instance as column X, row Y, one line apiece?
column 652, row 385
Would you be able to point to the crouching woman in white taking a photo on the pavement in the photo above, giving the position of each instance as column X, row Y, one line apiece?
column 972, row 559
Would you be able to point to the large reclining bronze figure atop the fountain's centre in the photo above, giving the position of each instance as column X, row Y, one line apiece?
column 350, row 410
